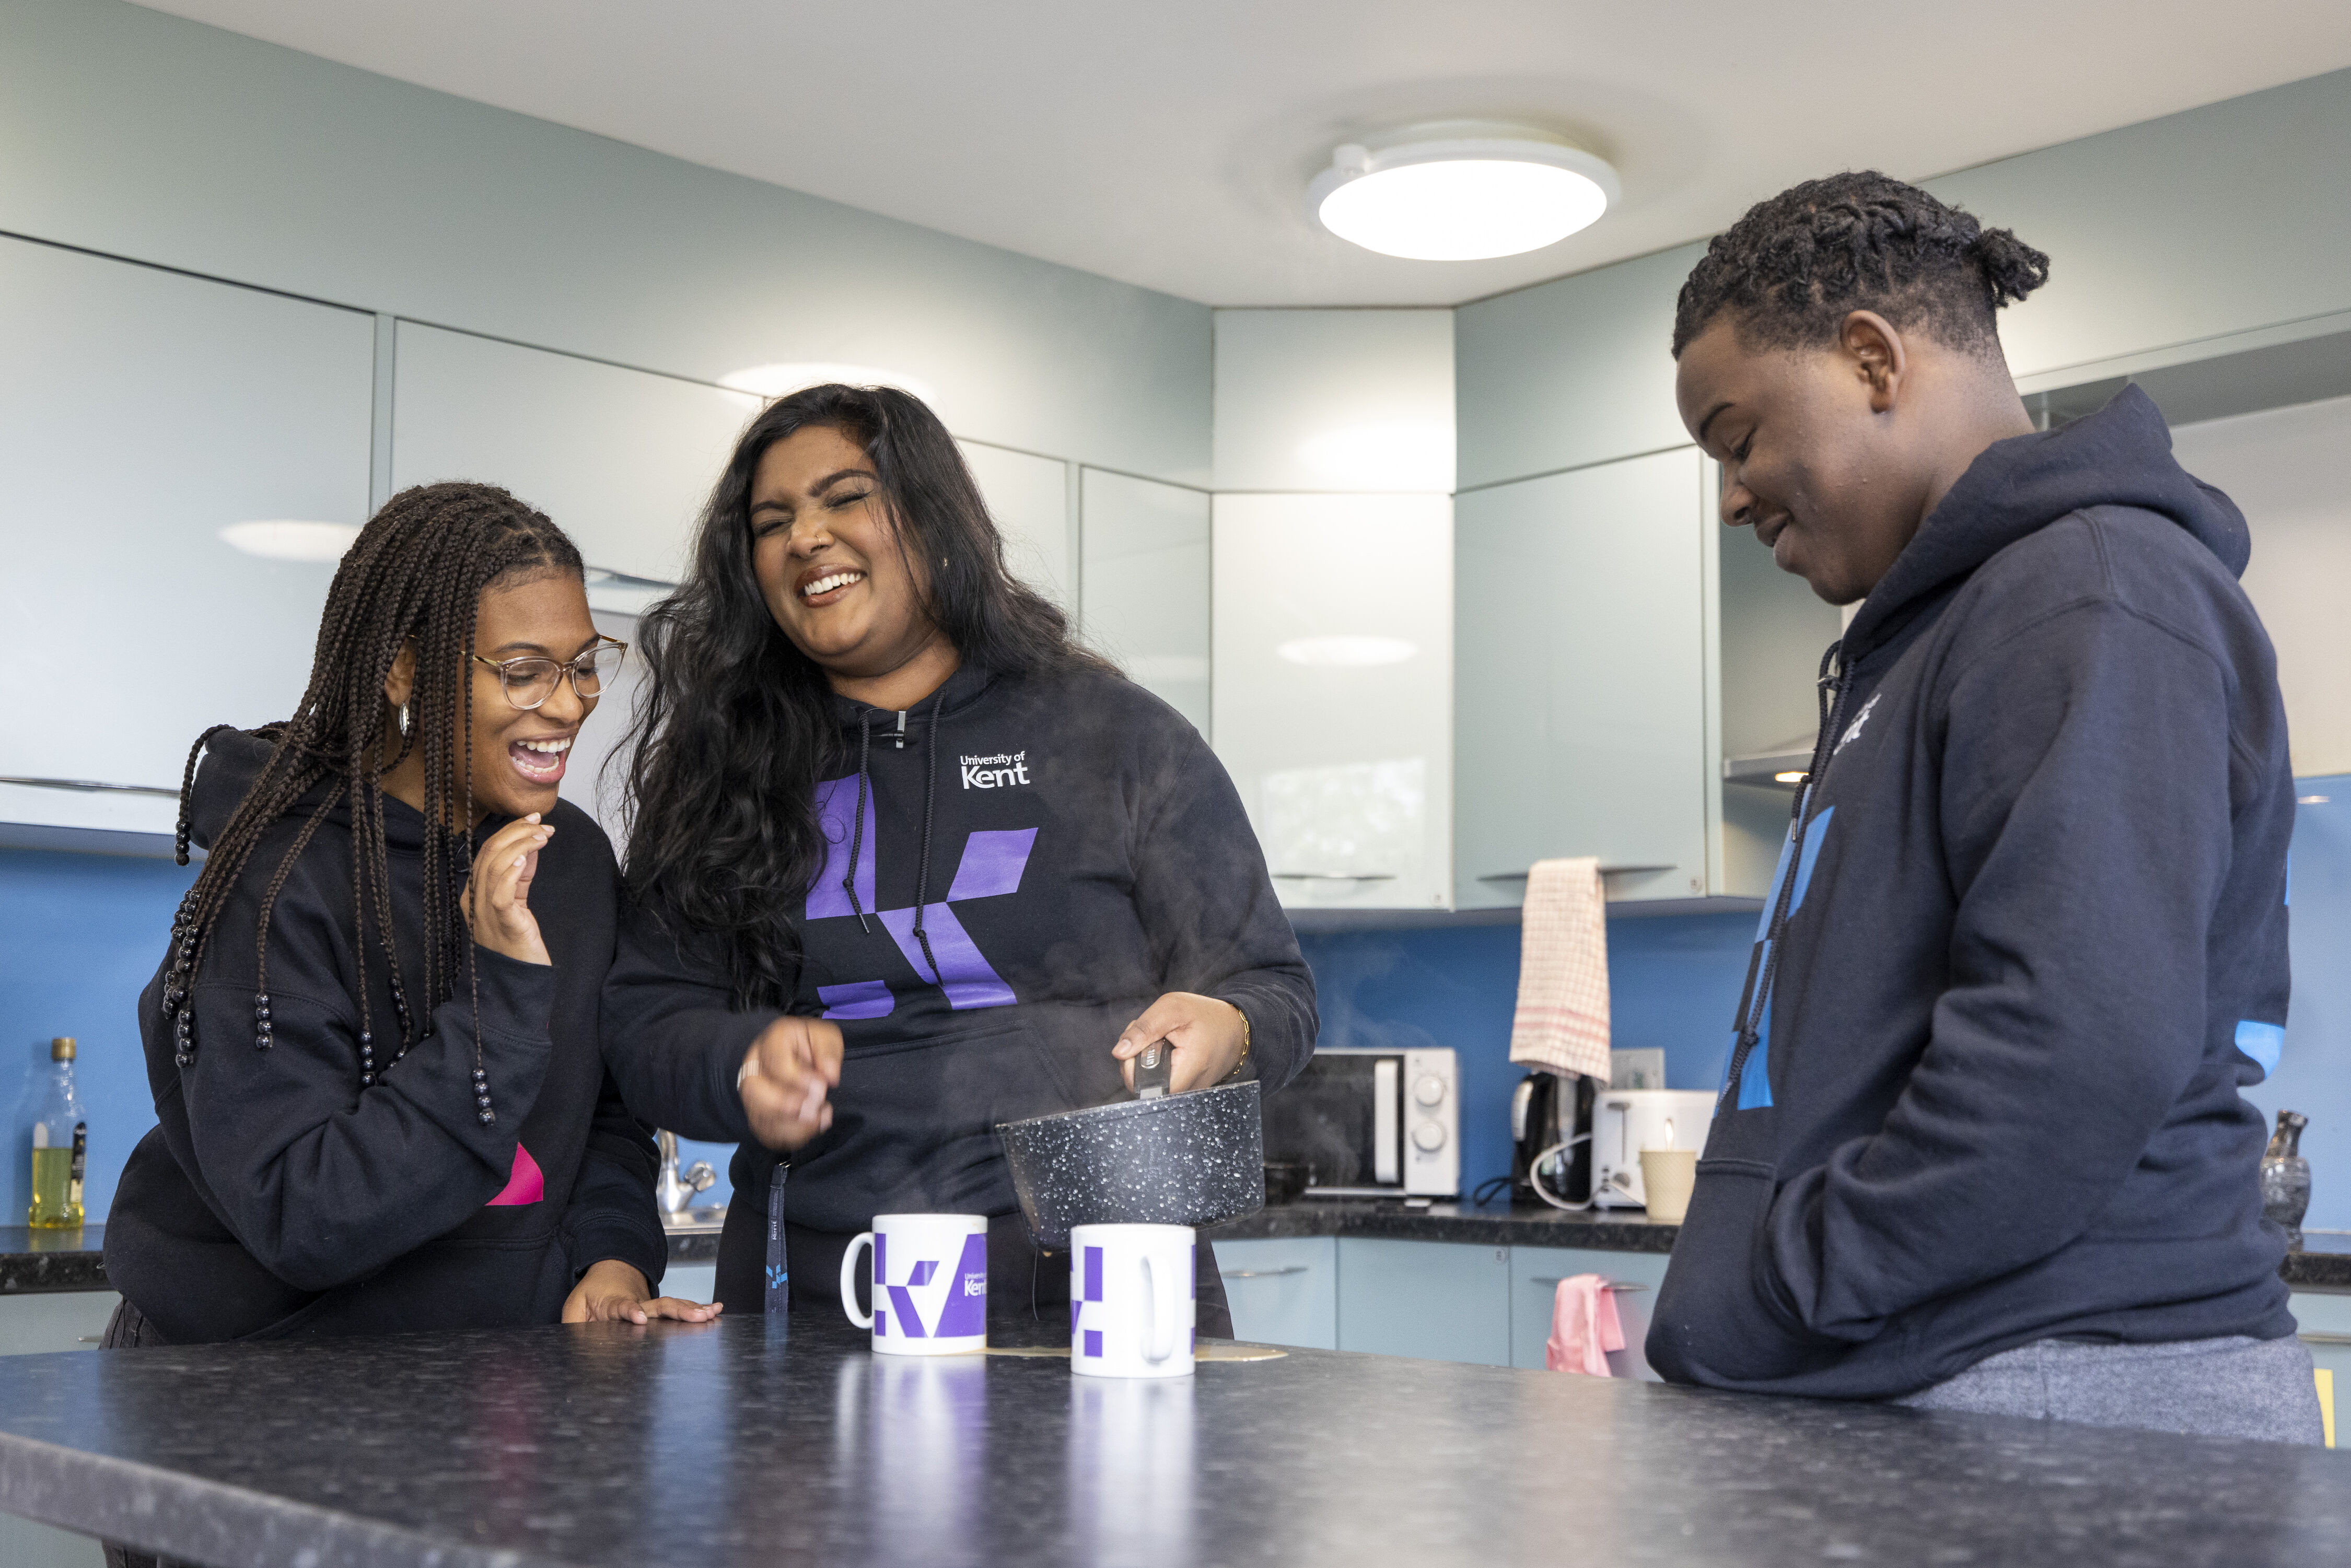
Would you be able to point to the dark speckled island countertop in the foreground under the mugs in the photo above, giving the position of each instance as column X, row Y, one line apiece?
column 732, row 1445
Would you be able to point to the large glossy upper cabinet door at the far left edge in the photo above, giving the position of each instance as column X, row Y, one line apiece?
column 145, row 415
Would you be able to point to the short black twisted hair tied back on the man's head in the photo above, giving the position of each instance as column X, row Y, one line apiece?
column 1795, row 267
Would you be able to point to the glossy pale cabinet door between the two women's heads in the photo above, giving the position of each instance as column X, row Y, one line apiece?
column 619, row 460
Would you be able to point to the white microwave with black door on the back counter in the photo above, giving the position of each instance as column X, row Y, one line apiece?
column 1372, row 1123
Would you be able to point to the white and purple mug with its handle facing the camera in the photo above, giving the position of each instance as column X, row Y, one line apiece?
column 1132, row 1301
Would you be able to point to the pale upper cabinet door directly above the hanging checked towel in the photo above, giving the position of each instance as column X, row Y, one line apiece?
column 1581, row 683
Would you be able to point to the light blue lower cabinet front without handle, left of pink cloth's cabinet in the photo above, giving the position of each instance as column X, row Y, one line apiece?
column 1440, row 1301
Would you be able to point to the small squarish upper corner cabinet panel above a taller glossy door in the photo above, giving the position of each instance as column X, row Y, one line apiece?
column 1334, row 401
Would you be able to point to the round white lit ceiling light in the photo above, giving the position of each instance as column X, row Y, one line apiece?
column 1461, row 192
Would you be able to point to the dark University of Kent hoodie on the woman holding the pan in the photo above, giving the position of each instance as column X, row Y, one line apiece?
column 1036, row 862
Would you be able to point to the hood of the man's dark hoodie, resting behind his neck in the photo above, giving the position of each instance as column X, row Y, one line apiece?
column 2115, row 457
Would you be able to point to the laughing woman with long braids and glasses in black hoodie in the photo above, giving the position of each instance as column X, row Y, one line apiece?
column 375, row 1036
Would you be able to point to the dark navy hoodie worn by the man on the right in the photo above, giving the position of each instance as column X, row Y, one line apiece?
column 2037, row 946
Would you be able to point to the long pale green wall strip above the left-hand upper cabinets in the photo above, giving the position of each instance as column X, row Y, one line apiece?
column 168, row 142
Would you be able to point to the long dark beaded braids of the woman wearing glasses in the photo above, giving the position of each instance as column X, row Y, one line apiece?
column 413, row 579
